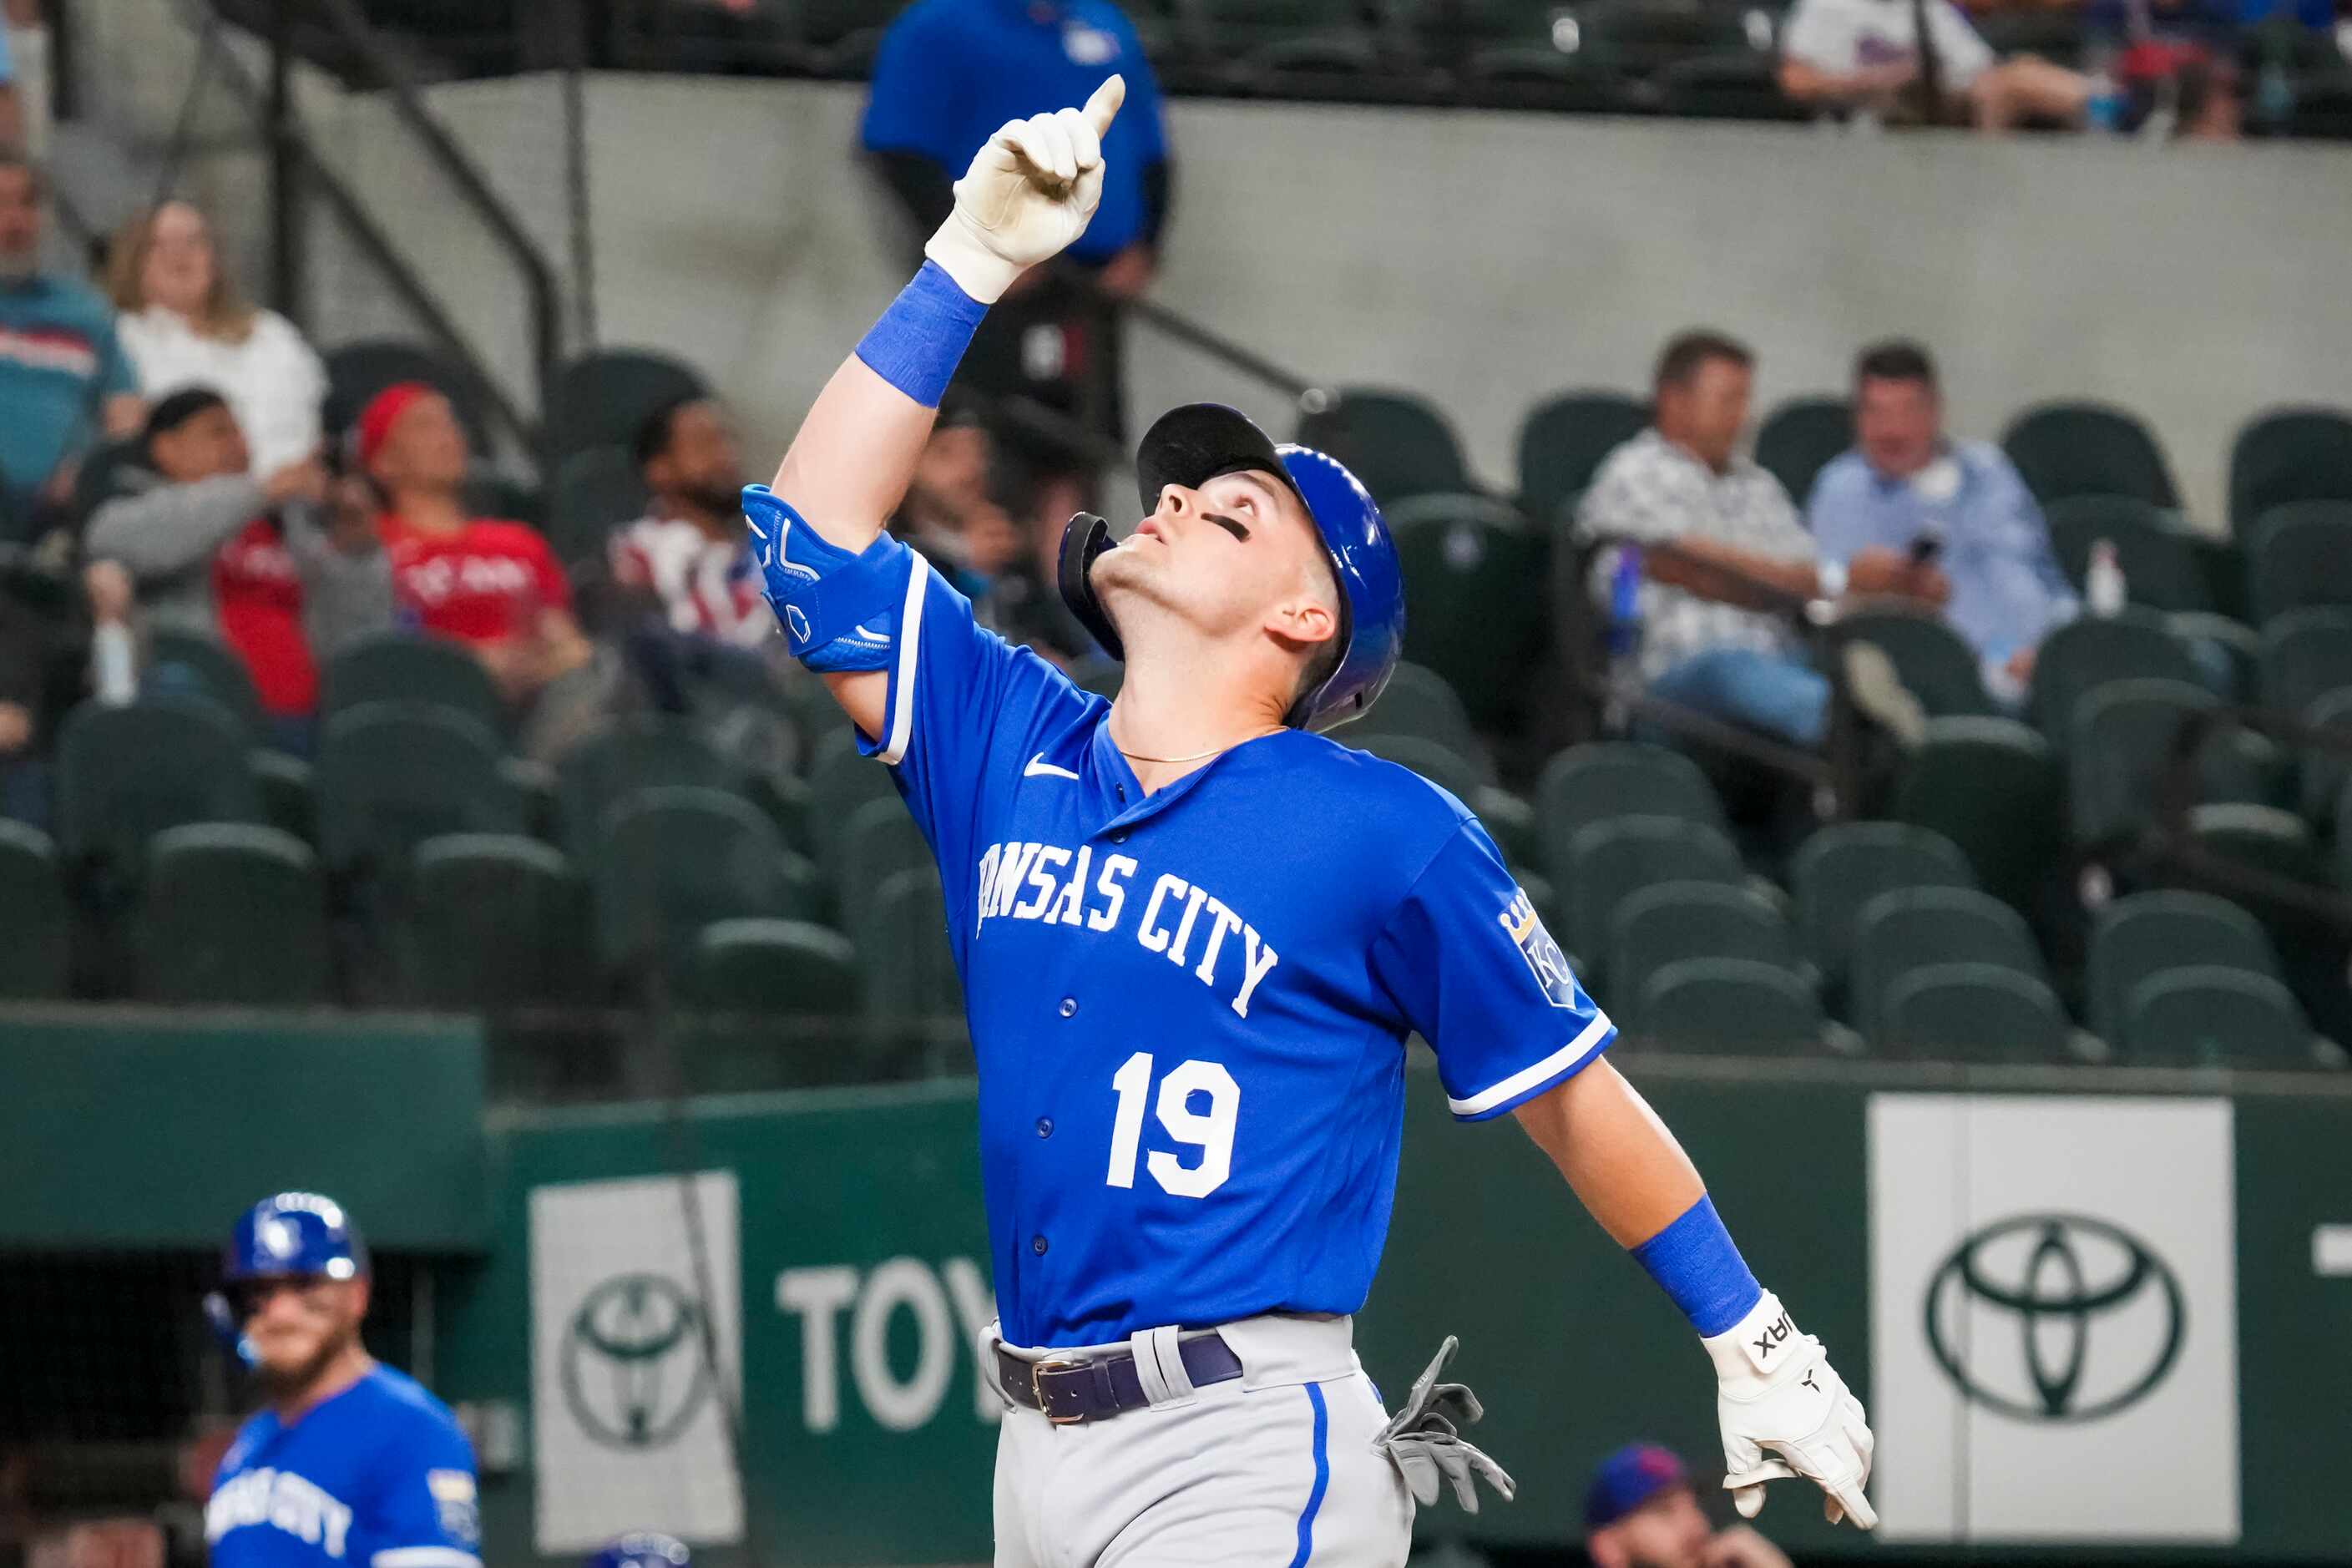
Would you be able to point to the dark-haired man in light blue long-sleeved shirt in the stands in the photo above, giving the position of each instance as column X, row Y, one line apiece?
column 1909, row 488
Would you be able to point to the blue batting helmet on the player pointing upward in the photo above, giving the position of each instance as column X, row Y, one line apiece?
column 1201, row 441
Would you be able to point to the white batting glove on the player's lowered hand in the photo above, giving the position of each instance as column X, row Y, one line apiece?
column 1789, row 1414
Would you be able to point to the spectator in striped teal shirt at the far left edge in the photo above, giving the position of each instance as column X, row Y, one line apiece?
column 65, row 380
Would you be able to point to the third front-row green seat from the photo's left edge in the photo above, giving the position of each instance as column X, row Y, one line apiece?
column 493, row 923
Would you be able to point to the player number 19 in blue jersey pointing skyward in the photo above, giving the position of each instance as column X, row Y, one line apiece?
column 1194, row 939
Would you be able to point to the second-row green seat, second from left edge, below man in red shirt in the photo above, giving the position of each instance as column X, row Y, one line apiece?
column 396, row 775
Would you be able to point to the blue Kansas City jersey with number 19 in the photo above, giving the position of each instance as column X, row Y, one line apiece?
column 1191, row 1007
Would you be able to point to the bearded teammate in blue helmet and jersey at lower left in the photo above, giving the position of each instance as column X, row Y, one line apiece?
column 349, row 1461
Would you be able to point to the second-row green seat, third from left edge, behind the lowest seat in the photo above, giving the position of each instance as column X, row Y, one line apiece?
column 676, row 859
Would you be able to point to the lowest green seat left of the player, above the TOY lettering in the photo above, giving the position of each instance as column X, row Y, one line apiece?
column 775, row 1007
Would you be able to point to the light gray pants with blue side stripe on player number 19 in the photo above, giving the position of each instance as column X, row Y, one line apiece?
column 1271, row 1468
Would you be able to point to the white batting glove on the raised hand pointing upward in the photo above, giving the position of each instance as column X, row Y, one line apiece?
column 1027, row 196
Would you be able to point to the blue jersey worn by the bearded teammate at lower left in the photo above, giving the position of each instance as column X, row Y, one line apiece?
column 377, row 1477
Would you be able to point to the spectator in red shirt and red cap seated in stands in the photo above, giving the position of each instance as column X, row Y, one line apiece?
column 488, row 584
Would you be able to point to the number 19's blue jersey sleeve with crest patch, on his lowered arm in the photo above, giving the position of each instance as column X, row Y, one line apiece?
column 1485, row 984
